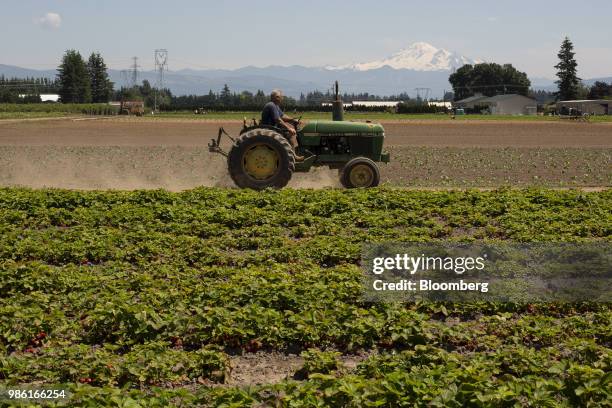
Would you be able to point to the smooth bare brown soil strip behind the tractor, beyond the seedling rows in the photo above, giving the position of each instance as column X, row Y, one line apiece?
column 160, row 132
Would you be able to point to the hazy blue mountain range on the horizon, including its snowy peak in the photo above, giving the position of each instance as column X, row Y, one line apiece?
column 420, row 65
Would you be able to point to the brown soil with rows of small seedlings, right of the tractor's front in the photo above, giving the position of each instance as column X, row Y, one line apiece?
column 495, row 167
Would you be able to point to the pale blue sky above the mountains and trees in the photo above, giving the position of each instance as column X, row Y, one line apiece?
column 217, row 34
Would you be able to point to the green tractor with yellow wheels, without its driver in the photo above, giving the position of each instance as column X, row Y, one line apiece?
column 262, row 157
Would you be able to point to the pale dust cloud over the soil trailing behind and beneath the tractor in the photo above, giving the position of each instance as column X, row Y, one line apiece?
column 174, row 168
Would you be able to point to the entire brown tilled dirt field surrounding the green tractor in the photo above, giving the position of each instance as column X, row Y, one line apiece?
column 172, row 154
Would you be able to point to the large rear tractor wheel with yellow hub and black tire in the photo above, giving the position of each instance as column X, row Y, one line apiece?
column 261, row 158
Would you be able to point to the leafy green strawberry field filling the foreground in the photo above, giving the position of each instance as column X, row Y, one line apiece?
column 141, row 298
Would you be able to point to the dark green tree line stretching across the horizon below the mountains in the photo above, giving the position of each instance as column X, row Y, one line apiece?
column 80, row 81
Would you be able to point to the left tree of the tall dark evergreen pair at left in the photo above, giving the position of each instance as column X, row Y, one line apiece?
column 73, row 79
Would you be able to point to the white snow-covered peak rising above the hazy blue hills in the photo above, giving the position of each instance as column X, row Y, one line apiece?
column 419, row 56
